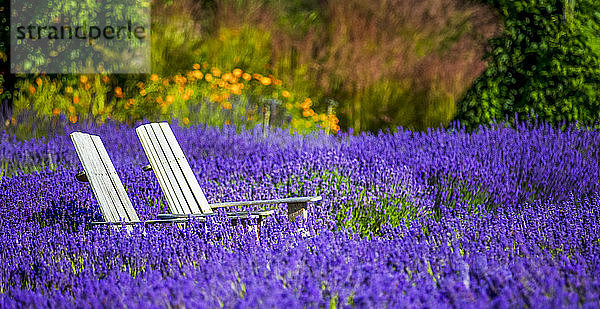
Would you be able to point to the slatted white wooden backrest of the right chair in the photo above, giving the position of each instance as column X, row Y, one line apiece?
column 172, row 169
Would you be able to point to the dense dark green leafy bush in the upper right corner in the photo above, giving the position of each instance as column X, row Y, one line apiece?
column 546, row 62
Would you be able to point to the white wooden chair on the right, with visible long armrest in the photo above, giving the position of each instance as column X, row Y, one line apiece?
column 180, row 186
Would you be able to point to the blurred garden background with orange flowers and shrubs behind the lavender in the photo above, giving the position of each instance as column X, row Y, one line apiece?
column 356, row 65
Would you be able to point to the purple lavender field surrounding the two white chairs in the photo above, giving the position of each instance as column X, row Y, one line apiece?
column 498, row 218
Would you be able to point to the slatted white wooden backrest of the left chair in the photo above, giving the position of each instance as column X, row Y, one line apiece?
column 102, row 176
